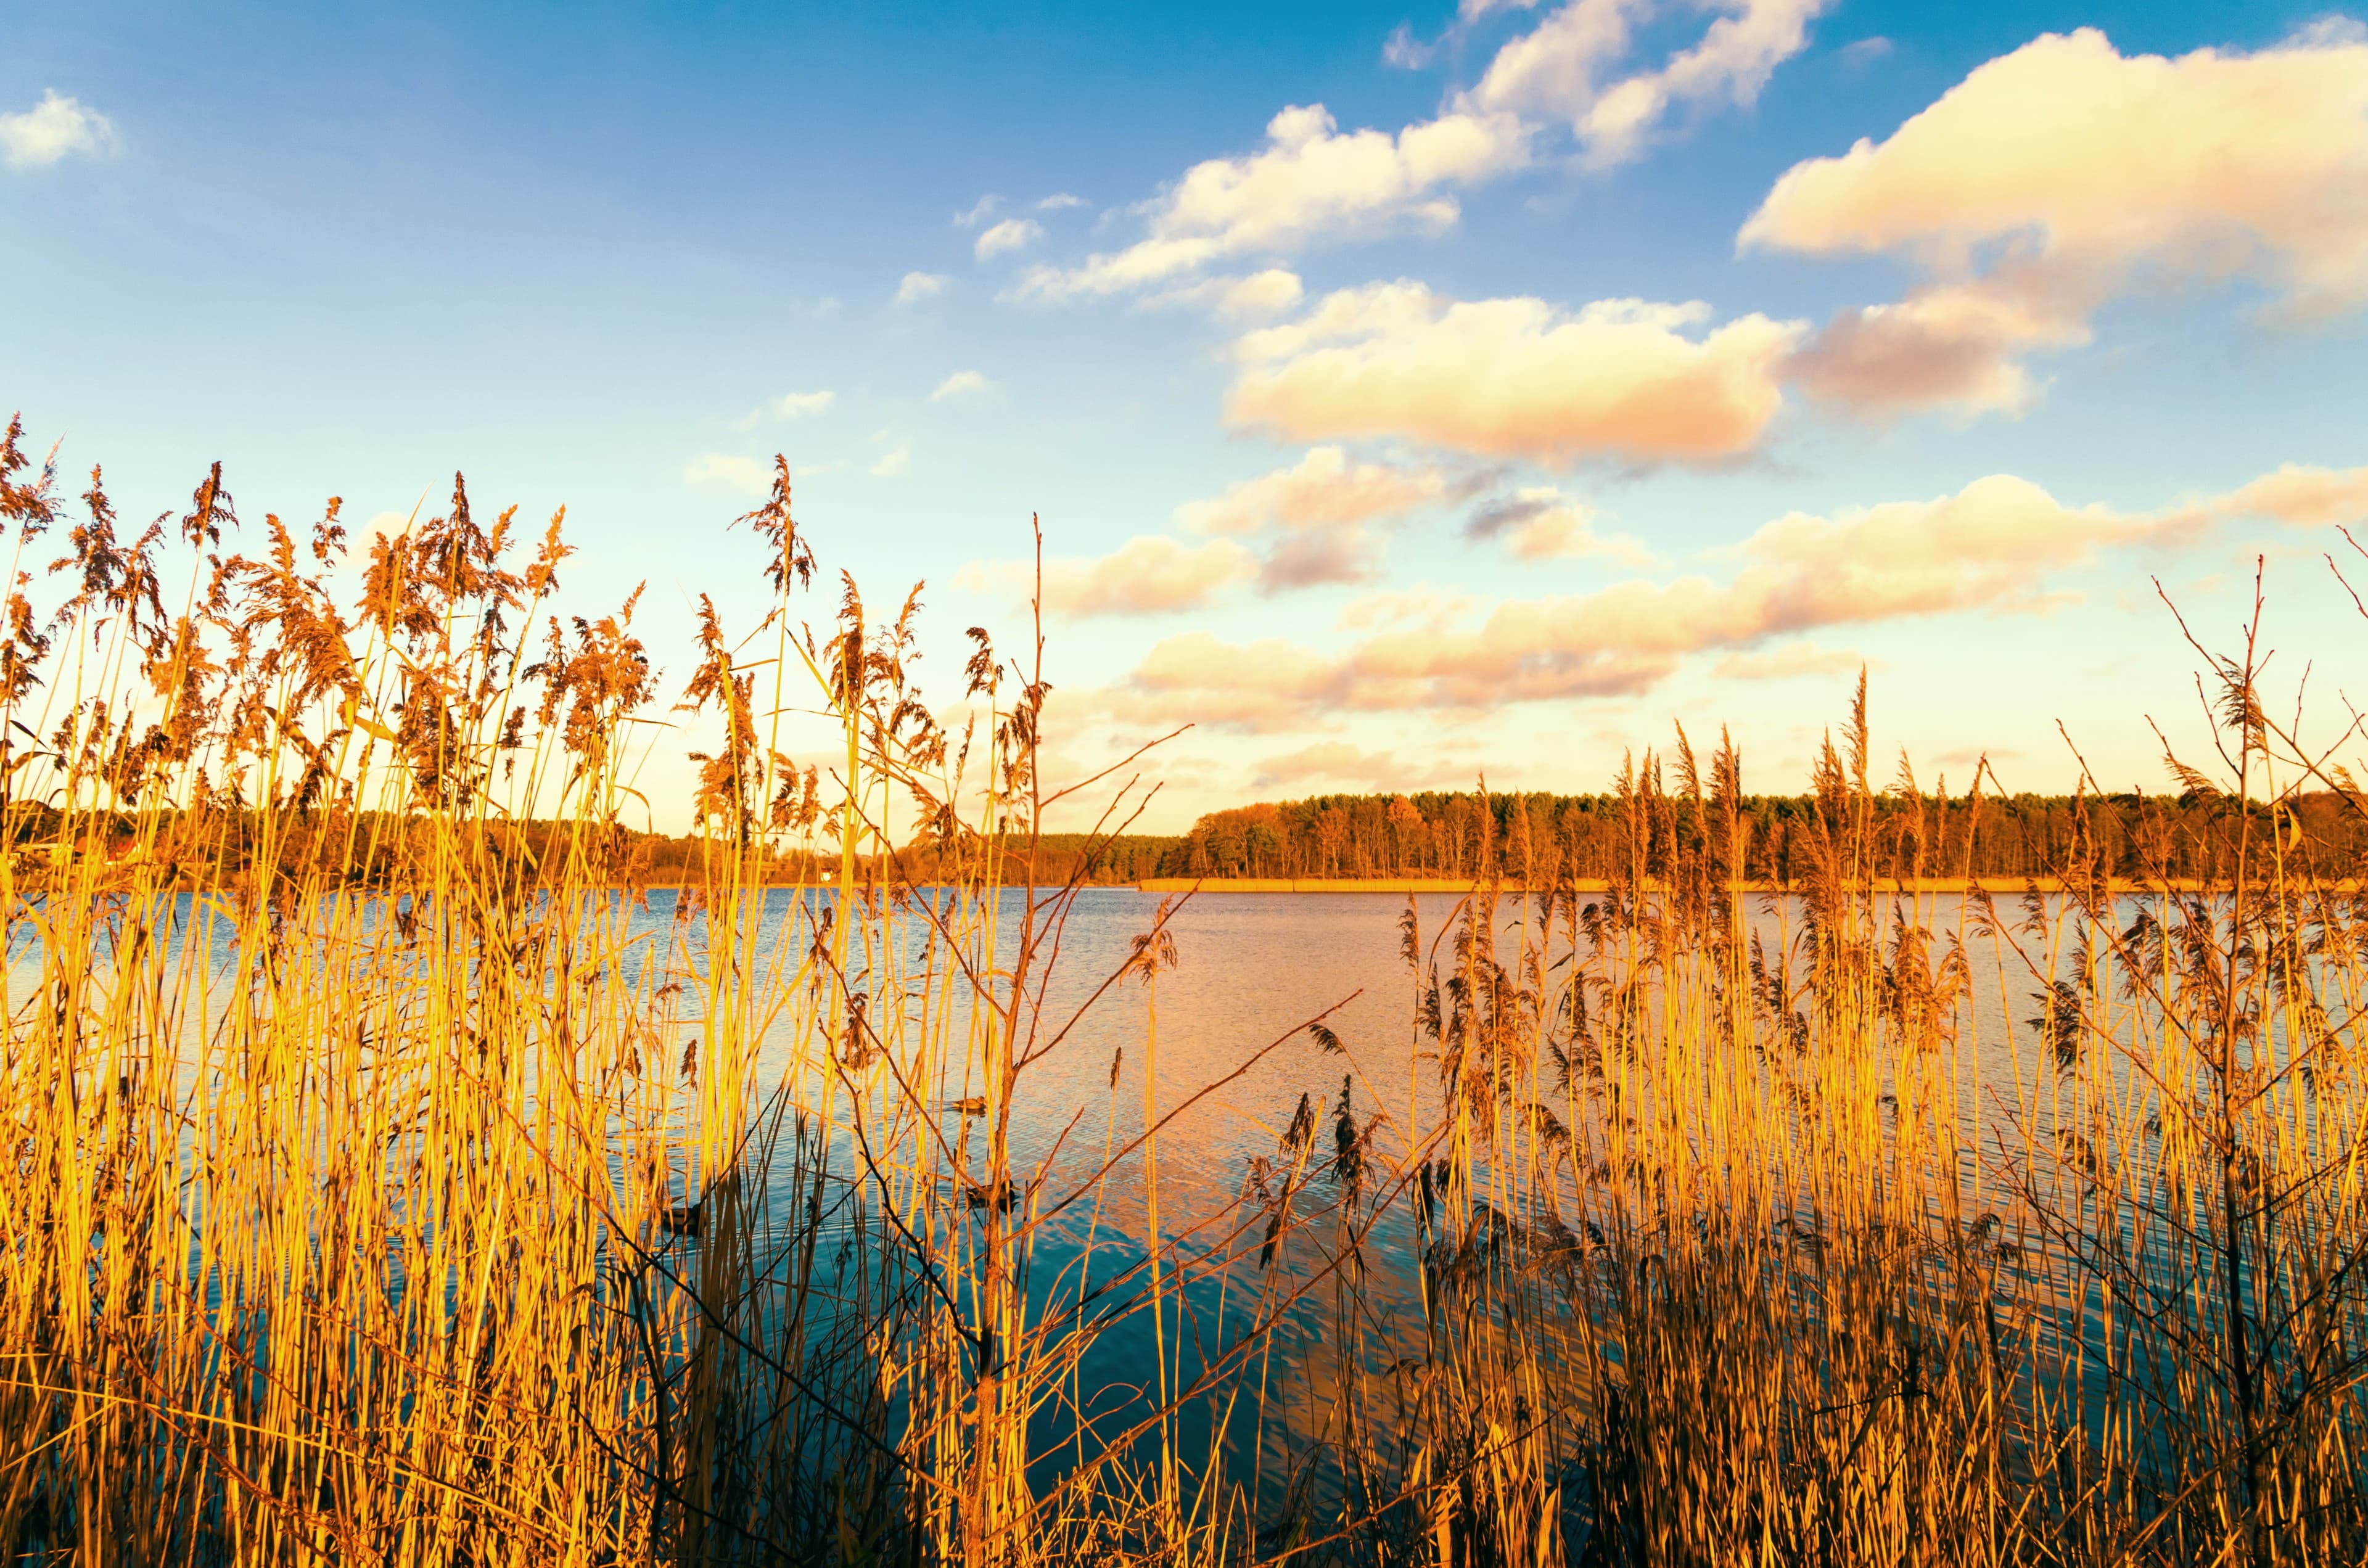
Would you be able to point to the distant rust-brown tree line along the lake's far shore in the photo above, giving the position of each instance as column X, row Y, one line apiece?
column 1431, row 835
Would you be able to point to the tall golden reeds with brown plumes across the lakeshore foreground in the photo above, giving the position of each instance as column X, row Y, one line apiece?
column 394, row 1185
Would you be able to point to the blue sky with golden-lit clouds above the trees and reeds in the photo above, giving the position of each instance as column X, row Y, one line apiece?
column 1408, row 397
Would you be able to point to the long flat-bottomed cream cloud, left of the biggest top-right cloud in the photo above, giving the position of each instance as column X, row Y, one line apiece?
column 1517, row 378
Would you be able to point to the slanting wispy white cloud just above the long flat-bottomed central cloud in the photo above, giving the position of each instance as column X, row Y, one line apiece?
column 1311, row 181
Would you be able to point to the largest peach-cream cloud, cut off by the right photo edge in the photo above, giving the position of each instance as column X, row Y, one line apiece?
column 2064, row 174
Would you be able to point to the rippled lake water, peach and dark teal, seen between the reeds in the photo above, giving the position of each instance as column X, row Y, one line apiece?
column 1233, row 1062
